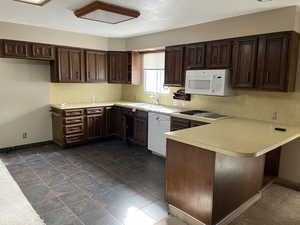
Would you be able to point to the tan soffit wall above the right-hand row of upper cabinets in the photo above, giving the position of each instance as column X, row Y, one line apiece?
column 264, row 22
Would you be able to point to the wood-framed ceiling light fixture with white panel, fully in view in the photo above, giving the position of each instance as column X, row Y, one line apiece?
column 106, row 13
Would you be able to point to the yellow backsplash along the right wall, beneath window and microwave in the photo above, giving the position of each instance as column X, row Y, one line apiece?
column 247, row 104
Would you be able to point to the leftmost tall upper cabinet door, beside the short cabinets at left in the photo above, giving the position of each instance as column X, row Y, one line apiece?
column 63, row 61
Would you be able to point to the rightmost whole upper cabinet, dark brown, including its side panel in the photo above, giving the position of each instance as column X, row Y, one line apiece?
column 276, row 67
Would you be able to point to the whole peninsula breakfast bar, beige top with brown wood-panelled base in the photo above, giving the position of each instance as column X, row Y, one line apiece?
column 216, row 171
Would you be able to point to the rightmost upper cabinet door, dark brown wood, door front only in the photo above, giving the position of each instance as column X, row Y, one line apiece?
column 272, row 62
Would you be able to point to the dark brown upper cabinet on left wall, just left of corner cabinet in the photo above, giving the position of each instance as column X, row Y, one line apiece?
column 95, row 62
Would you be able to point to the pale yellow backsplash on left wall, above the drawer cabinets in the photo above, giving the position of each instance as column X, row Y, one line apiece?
column 83, row 93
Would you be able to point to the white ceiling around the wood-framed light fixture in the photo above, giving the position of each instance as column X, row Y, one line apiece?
column 156, row 15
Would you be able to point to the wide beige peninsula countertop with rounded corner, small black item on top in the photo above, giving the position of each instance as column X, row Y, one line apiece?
column 237, row 137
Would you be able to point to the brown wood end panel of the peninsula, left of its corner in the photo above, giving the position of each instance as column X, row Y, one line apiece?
column 189, row 179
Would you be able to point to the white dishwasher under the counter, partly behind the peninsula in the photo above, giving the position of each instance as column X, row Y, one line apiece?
column 158, row 124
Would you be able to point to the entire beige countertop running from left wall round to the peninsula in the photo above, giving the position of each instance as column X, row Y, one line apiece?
column 233, row 136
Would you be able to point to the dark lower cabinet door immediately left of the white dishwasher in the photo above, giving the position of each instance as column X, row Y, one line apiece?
column 141, row 131
